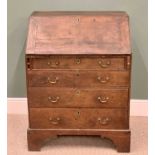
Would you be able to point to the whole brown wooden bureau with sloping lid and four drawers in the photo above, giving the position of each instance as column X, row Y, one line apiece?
column 78, row 68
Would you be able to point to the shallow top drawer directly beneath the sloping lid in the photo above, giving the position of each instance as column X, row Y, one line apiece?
column 59, row 62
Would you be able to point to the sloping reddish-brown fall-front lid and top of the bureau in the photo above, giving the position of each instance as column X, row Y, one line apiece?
column 78, row 33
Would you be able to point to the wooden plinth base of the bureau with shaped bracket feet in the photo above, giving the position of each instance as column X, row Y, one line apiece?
column 37, row 137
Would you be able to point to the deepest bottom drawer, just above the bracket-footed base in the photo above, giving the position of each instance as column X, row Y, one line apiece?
column 63, row 118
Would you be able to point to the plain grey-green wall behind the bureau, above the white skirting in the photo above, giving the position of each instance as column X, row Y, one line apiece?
column 20, row 10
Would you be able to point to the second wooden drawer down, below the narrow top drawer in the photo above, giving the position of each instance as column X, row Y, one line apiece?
column 78, row 78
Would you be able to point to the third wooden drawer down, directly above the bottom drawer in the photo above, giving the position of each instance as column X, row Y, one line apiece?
column 50, row 97
